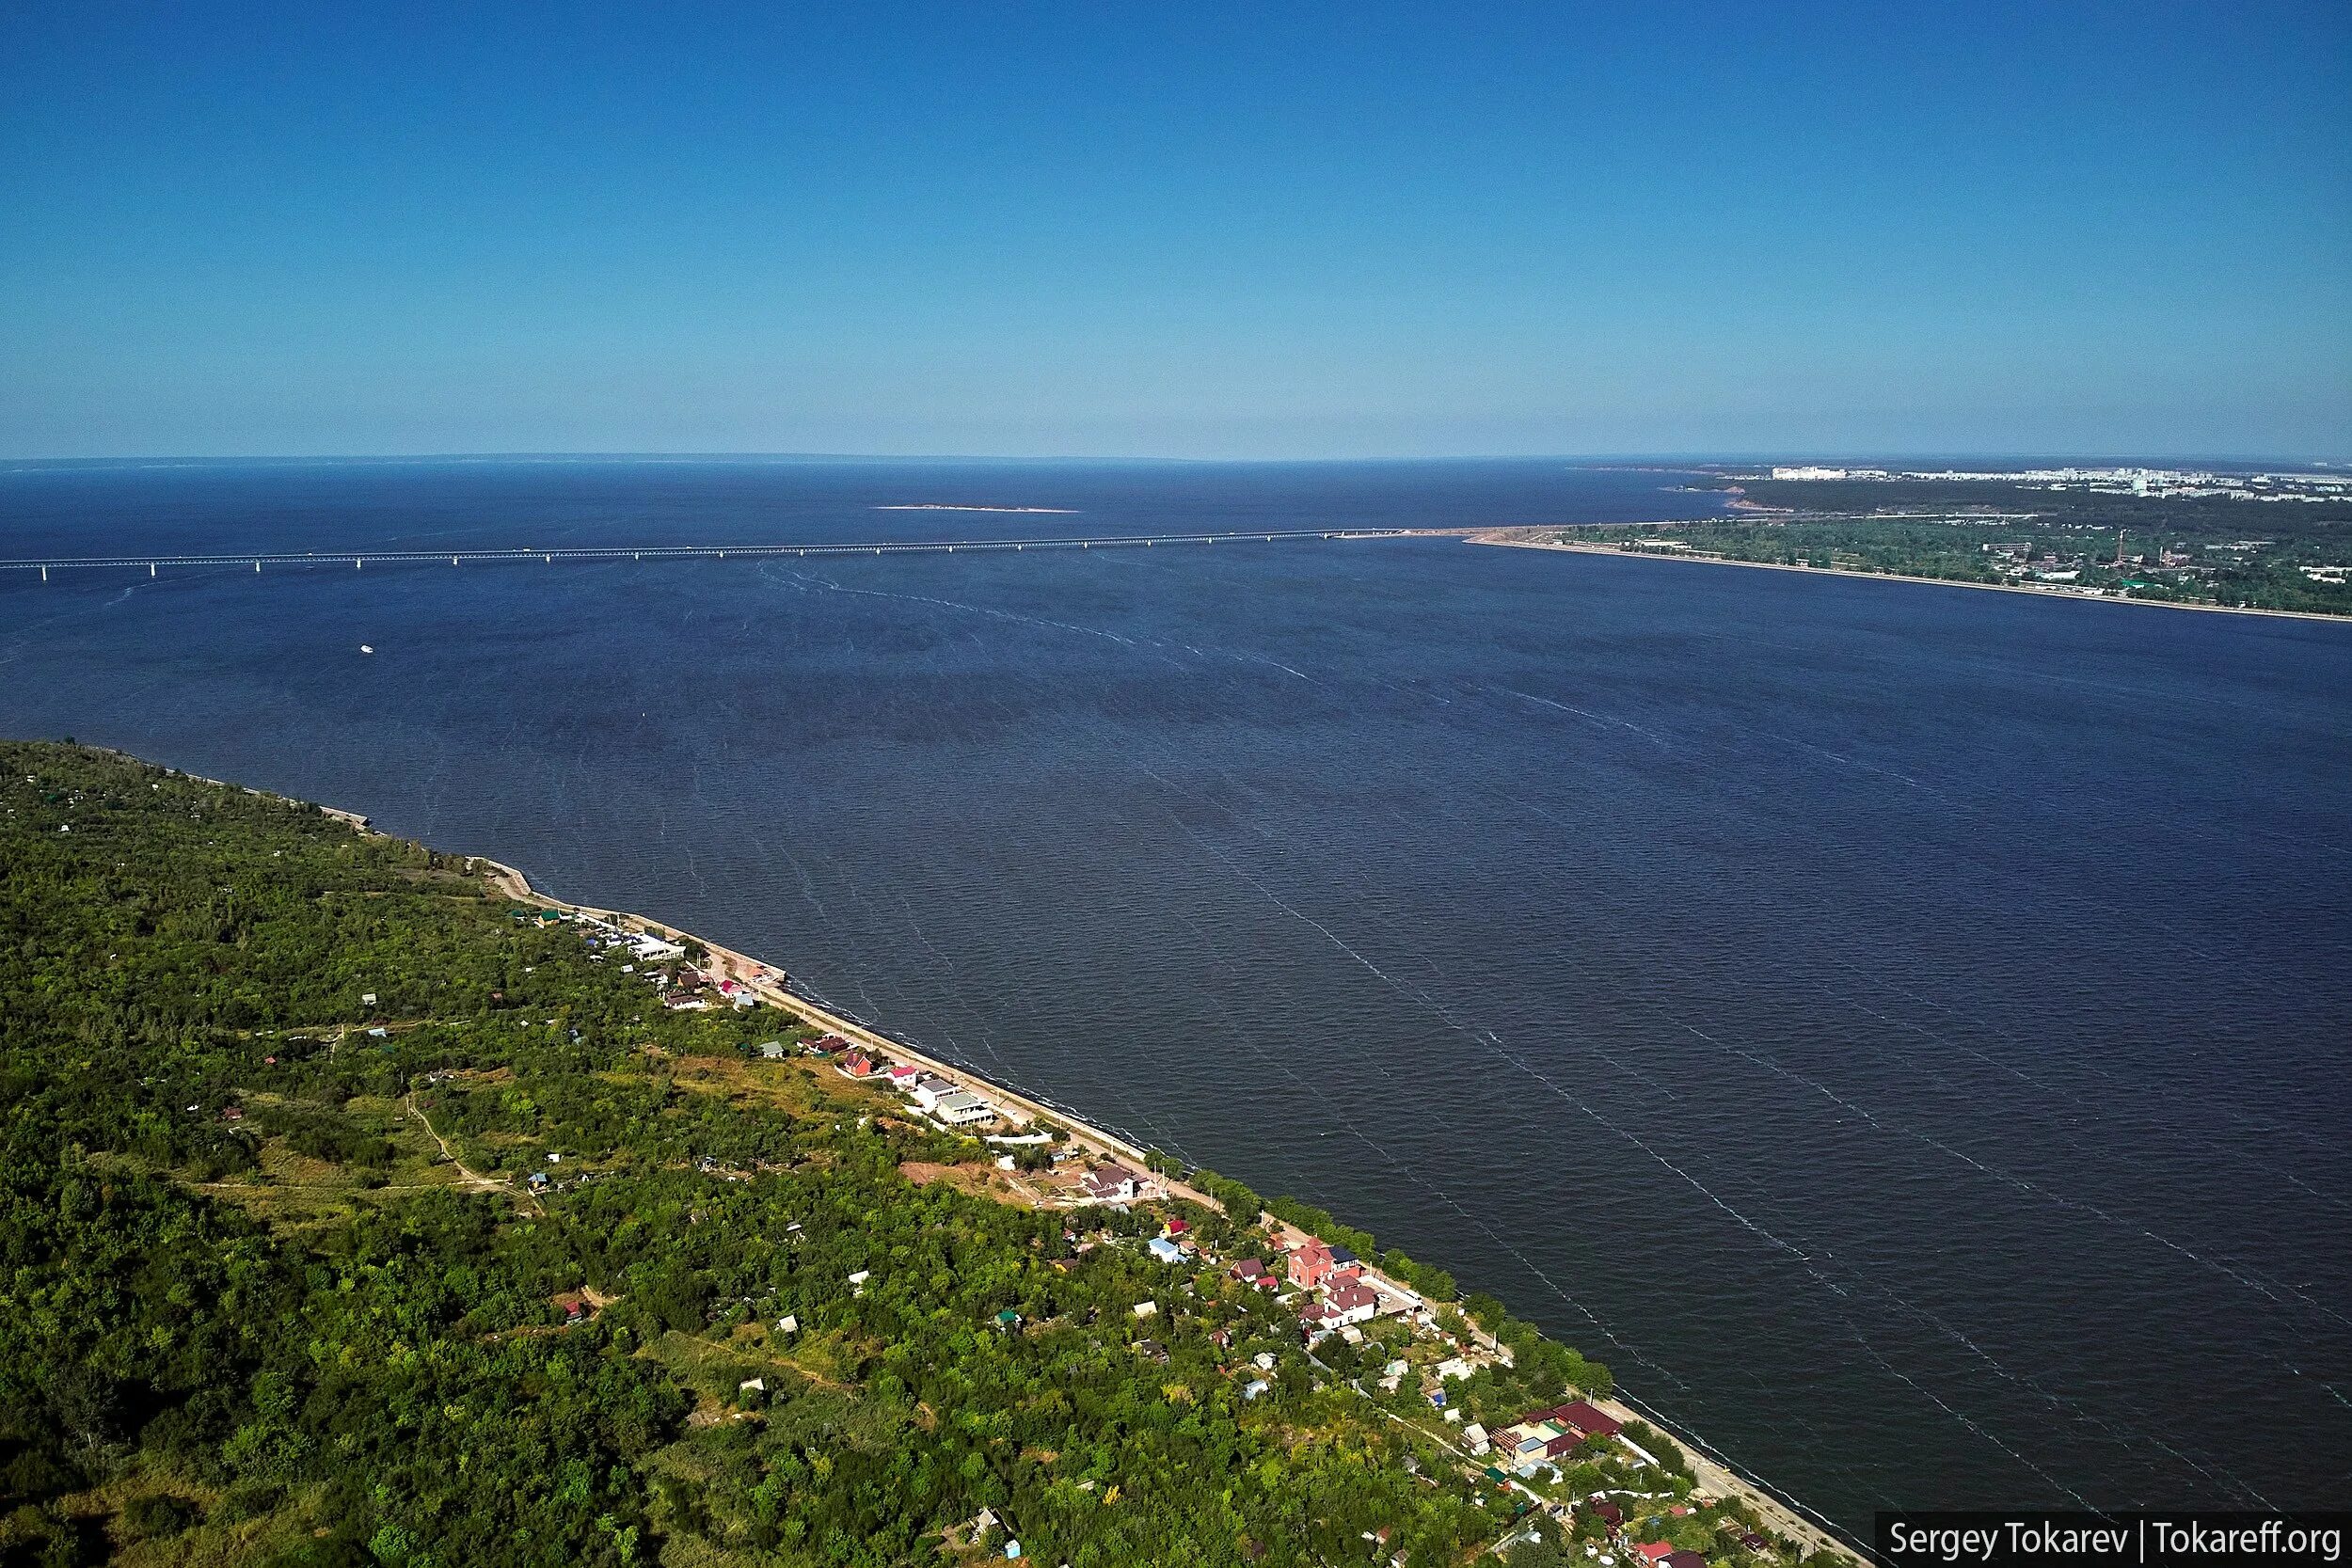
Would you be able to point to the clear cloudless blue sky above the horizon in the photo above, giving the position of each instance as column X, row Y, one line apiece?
column 1177, row 229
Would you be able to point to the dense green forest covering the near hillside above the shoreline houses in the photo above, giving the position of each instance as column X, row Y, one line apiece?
column 352, row 1214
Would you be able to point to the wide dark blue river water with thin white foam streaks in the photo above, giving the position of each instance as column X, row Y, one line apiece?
column 1902, row 1028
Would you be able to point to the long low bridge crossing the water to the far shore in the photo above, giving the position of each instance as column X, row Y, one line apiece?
column 359, row 561
